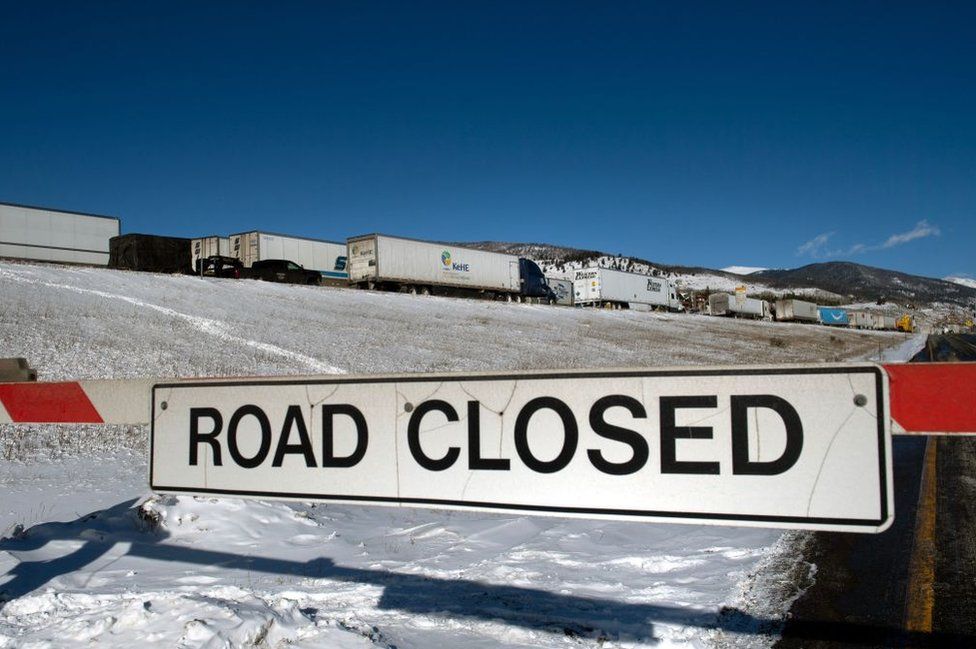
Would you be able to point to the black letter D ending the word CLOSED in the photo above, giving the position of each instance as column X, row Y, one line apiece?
column 740, row 435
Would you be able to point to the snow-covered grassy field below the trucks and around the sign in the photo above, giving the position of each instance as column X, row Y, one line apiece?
column 88, row 557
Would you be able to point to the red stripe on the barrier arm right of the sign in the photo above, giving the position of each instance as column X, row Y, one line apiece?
column 933, row 398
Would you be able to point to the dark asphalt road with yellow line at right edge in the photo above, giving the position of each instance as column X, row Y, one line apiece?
column 872, row 590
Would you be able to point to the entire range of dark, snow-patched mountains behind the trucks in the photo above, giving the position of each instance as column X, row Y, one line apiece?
column 843, row 281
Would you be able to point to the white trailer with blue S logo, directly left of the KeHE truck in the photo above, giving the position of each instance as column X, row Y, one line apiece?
column 327, row 257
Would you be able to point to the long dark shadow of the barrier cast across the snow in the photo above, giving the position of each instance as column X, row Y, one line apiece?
column 98, row 533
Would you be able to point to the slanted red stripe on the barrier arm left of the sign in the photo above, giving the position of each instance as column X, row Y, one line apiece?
column 48, row 403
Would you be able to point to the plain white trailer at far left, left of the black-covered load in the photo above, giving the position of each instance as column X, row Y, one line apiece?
column 43, row 234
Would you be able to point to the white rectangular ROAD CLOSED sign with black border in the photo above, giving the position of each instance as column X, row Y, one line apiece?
column 791, row 447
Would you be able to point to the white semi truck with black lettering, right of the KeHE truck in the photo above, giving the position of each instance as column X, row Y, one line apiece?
column 605, row 287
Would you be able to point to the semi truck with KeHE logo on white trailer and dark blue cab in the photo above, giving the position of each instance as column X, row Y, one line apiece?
column 383, row 262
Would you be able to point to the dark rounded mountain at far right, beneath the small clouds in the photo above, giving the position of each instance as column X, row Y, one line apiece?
column 868, row 283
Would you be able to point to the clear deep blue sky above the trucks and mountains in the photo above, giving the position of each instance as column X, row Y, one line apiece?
column 768, row 134
